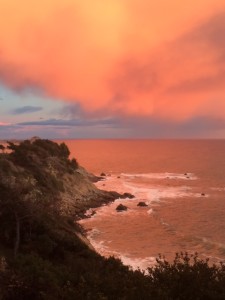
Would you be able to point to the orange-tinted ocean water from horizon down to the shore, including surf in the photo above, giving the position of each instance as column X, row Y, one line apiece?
column 181, row 181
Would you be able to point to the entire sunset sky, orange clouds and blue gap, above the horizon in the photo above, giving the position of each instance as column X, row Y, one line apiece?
column 112, row 69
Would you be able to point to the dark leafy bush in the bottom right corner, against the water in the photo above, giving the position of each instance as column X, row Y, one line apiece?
column 188, row 277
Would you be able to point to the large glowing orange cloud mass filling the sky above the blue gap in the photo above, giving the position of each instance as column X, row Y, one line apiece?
column 161, row 58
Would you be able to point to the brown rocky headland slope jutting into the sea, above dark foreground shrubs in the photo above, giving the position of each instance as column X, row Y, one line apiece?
column 44, row 167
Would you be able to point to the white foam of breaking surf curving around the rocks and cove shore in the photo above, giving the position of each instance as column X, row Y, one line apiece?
column 148, row 192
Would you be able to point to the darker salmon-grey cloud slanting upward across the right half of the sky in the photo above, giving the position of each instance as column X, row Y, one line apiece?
column 180, row 79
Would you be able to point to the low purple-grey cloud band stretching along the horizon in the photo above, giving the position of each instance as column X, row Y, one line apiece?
column 137, row 127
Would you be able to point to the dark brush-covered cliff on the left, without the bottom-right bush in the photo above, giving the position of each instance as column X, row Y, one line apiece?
column 43, row 254
